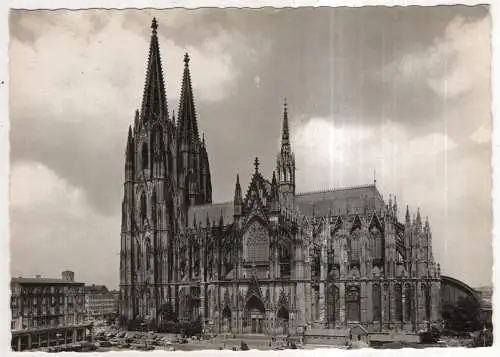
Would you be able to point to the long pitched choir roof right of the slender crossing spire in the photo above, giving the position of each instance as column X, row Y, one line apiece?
column 337, row 201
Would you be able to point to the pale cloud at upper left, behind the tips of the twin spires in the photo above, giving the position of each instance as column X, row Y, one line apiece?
column 104, row 72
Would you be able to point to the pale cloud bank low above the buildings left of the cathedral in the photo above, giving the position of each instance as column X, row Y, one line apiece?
column 52, row 223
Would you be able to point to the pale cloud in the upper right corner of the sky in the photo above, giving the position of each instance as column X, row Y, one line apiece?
column 457, row 67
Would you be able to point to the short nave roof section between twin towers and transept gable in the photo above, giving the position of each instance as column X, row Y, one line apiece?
column 213, row 211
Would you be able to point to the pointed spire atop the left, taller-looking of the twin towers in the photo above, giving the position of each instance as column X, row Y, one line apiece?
column 154, row 100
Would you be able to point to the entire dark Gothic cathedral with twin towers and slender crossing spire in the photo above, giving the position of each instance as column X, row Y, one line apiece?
column 272, row 261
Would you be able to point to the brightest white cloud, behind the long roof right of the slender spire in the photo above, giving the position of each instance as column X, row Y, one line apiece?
column 424, row 171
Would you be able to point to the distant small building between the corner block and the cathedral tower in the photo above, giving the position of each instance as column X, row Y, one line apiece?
column 100, row 303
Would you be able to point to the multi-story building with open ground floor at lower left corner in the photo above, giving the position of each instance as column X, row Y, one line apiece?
column 47, row 312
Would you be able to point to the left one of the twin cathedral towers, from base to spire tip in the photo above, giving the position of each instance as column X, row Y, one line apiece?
column 148, row 222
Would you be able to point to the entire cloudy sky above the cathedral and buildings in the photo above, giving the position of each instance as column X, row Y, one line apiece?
column 403, row 92
